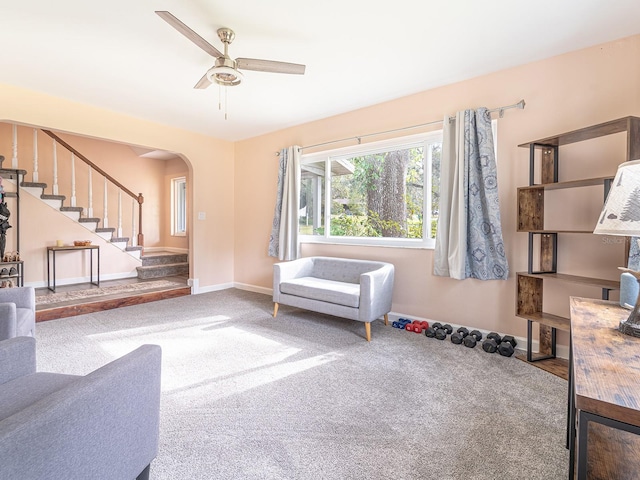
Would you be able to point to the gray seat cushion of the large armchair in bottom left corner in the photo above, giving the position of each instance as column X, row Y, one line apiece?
column 21, row 392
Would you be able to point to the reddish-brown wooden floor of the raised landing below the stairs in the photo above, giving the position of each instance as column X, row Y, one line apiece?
column 71, row 308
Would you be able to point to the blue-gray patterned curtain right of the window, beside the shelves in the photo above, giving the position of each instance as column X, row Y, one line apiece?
column 471, row 244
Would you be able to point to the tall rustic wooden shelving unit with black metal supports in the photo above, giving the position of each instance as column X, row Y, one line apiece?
column 543, row 243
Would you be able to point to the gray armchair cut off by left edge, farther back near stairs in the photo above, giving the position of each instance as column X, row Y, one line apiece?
column 17, row 312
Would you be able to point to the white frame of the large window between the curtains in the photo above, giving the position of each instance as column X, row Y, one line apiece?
column 409, row 141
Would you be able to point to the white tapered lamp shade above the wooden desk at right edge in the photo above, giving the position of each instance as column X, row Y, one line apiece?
column 621, row 212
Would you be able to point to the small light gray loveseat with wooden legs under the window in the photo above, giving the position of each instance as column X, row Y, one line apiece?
column 355, row 289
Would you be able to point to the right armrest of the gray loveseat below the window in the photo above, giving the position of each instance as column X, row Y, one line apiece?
column 376, row 293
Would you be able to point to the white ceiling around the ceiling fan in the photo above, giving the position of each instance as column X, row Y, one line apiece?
column 120, row 55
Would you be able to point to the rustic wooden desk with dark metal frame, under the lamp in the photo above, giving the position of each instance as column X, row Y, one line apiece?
column 604, row 393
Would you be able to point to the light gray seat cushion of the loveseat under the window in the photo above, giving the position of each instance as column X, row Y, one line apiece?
column 340, row 293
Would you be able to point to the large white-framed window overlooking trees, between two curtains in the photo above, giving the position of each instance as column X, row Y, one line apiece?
column 383, row 193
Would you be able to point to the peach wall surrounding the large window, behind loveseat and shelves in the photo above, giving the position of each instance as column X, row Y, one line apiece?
column 562, row 94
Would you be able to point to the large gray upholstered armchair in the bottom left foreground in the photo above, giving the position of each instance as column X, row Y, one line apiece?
column 104, row 425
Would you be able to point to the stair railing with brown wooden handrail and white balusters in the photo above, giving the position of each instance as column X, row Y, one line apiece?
column 139, row 199
